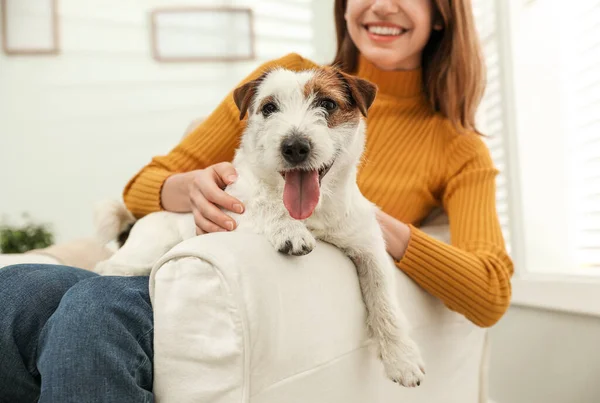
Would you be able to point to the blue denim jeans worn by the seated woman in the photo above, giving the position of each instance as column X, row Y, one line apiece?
column 70, row 335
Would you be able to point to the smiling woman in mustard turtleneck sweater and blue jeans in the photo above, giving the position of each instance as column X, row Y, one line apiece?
column 89, row 338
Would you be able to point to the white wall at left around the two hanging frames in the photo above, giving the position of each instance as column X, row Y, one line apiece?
column 75, row 127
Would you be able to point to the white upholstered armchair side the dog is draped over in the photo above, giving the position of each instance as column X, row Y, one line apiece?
column 235, row 321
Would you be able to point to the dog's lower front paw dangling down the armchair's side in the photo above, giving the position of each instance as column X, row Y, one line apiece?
column 403, row 364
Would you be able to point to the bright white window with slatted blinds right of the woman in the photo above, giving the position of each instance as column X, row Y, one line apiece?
column 554, row 105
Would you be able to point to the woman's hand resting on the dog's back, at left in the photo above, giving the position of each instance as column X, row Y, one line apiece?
column 206, row 195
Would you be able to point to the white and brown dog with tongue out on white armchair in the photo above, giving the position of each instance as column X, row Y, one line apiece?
column 297, row 164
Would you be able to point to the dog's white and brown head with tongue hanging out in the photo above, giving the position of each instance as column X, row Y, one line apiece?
column 305, row 127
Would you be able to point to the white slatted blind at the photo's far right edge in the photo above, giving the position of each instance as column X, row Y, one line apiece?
column 583, row 125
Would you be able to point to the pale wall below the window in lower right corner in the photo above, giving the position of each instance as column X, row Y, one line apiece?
column 545, row 357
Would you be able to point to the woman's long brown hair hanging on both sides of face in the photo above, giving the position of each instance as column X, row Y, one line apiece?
column 452, row 63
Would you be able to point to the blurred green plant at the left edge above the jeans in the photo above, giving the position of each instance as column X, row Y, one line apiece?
column 20, row 239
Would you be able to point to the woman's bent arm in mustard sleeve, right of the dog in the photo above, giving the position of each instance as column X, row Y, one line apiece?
column 472, row 275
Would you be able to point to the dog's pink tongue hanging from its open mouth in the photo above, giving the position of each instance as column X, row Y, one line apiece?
column 301, row 193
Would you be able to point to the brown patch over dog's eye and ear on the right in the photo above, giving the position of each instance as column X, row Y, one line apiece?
column 352, row 95
